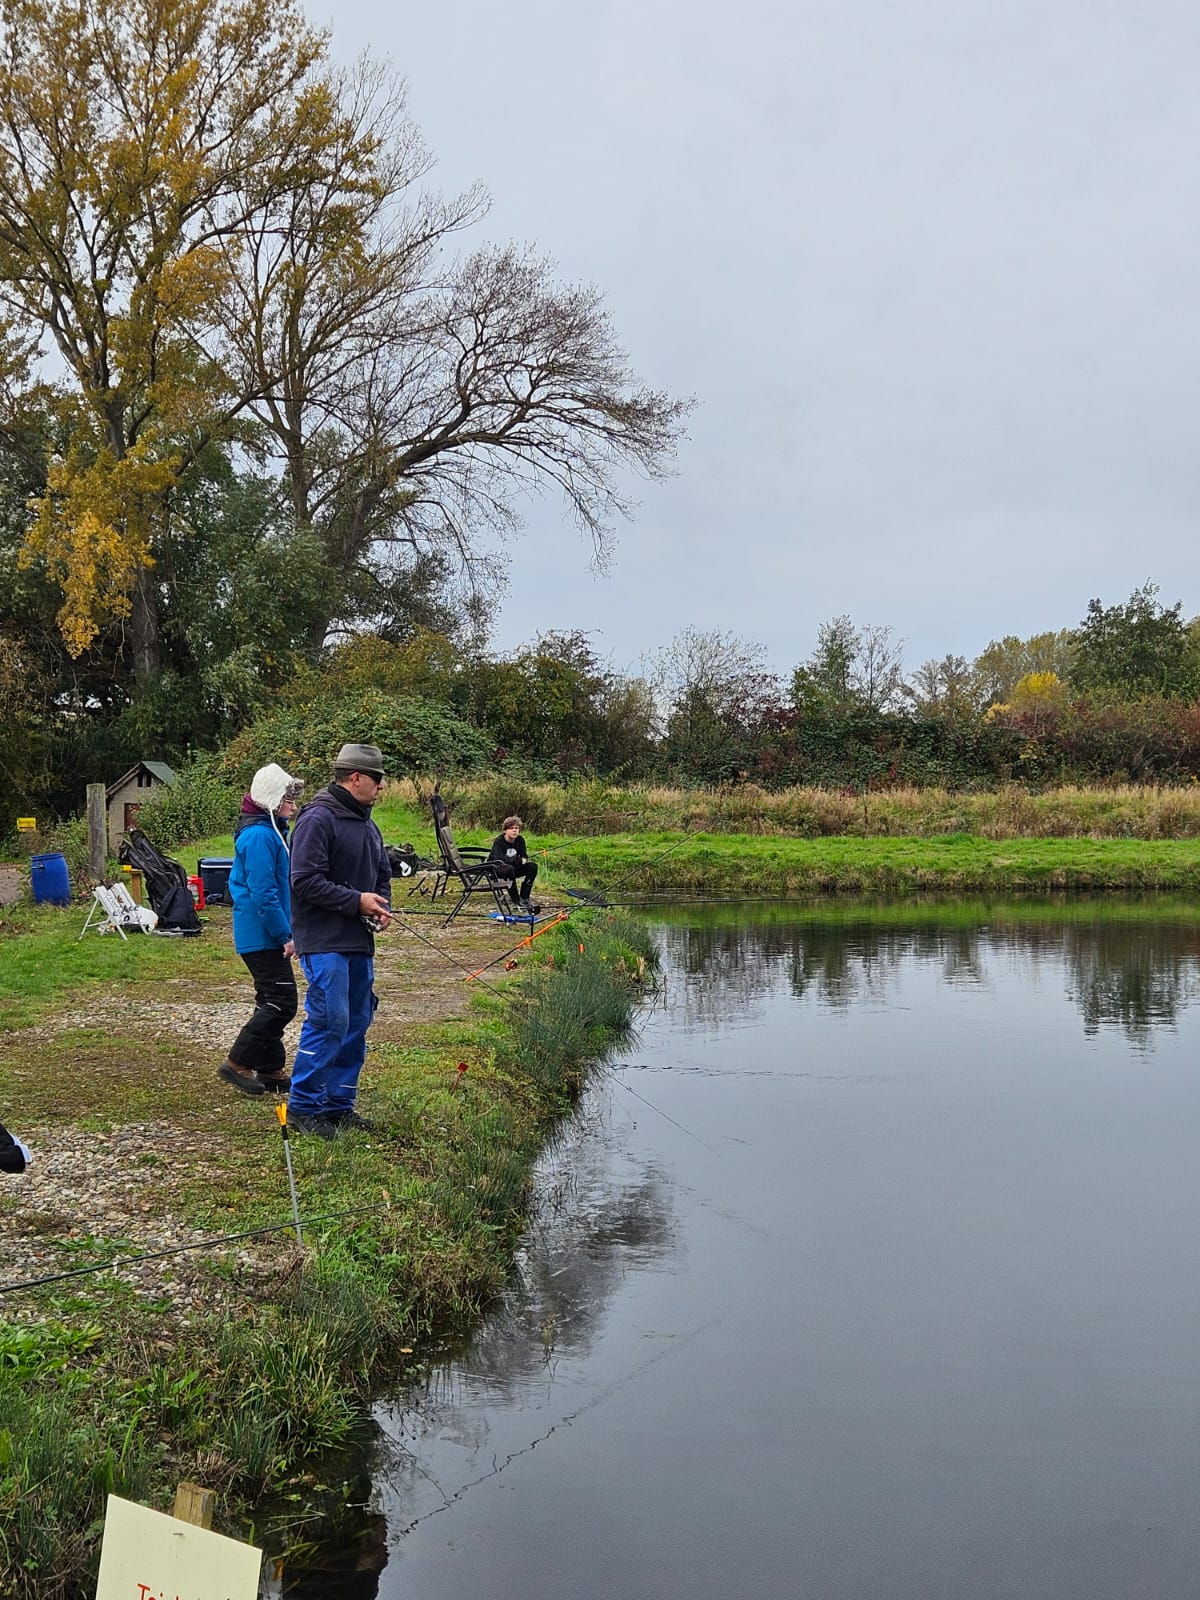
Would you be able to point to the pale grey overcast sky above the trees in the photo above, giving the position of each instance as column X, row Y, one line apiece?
column 930, row 271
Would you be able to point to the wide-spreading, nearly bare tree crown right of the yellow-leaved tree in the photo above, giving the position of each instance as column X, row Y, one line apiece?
column 425, row 398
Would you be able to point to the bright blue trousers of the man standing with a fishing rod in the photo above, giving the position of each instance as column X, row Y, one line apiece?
column 338, row 1009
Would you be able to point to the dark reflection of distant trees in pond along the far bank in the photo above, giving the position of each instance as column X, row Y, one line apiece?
column 1135, row 975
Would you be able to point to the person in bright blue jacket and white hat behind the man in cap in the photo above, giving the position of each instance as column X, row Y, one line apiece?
column 258, row 886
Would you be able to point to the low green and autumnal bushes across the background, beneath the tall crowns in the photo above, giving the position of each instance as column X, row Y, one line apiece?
column 1116, row 698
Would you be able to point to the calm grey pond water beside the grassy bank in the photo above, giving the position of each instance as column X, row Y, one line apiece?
column 870, row 1271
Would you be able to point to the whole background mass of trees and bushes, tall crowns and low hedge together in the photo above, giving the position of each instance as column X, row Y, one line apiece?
column 265, row 431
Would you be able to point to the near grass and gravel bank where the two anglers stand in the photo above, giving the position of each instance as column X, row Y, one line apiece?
column 234, row 1366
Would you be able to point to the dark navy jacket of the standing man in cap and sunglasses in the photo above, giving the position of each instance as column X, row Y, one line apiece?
column 337, row 855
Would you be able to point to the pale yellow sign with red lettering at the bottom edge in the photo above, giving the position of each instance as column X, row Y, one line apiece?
column 148, row 1556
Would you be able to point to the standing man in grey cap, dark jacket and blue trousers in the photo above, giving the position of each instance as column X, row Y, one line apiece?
column 340, row 895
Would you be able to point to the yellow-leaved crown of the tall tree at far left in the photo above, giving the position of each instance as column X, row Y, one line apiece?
column 132, row 134
